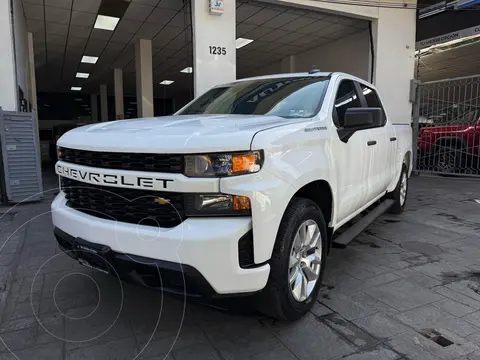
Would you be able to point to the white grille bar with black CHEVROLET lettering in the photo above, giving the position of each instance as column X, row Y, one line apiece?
column 110, row 179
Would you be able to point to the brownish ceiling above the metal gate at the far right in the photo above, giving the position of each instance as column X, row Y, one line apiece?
column 460, row 61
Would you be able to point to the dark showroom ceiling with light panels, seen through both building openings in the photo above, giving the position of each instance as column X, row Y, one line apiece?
column 63, row 32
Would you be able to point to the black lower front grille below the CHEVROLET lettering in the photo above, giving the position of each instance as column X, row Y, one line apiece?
column 125, row 205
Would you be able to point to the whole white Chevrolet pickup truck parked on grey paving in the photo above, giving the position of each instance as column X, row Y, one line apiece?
column 240, row 192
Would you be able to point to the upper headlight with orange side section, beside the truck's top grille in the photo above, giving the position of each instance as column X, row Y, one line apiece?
column 222, row 164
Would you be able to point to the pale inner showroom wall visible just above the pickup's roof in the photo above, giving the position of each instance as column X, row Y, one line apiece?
column 350, row 54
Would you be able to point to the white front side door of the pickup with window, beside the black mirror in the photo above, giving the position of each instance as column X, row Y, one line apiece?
column 352, row 156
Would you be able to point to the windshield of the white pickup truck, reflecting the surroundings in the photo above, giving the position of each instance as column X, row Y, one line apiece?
column 296, row 97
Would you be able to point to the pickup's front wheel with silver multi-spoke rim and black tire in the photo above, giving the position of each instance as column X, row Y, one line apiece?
column 297, row 262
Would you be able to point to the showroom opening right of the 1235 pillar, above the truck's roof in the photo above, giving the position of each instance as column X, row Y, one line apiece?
column 274, row 38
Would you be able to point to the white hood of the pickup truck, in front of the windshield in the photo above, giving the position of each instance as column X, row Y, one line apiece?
column 172, row 134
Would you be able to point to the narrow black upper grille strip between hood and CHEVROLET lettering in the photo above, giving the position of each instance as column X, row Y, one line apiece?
column 168, row 163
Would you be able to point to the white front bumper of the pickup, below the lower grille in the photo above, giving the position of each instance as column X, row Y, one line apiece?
column 206, row 249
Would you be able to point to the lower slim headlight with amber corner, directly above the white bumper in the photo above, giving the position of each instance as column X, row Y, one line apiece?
column 216, row 205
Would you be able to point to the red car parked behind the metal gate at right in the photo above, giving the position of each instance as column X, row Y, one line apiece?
column 450, row 149
